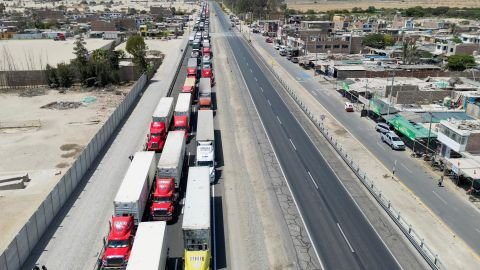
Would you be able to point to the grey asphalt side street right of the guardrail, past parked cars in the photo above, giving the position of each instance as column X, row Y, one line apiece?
column 460, row 215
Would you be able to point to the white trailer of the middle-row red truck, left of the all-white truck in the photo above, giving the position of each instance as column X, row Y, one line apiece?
column 170, row 164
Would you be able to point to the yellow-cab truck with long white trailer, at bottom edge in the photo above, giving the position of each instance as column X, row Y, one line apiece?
column 196, row 220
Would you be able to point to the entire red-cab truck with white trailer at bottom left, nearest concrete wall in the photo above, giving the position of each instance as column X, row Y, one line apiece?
column 128, row 207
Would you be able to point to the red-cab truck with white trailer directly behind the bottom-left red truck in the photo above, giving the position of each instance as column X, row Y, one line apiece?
column 159, row 126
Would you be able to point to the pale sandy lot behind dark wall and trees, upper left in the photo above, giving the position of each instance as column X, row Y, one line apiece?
column 36, row 54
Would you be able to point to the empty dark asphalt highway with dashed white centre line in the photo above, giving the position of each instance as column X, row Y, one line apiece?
column 340, row 233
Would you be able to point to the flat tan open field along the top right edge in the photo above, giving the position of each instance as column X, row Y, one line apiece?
column 322, row 5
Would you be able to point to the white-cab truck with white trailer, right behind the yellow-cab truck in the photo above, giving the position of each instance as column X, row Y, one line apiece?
column 206, row 142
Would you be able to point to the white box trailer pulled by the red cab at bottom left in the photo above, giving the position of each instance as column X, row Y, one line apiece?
column 133, row 194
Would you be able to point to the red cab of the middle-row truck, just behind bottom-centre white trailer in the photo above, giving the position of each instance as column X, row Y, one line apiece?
column 164, row 199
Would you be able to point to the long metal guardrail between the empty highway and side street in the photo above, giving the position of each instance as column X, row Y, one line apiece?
column 417, row 241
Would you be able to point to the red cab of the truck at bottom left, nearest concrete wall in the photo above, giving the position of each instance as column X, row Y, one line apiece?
column 119, row 243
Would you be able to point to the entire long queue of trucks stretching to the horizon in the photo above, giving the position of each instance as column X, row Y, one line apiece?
column 148, row 196
